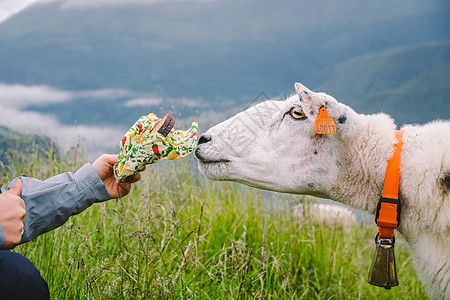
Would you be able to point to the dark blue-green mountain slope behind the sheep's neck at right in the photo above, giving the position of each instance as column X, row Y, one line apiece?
column 410, row 83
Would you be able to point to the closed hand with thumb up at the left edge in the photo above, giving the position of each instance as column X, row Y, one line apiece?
column 12, row 215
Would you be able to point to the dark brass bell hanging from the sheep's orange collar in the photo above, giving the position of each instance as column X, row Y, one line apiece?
column 383, row 272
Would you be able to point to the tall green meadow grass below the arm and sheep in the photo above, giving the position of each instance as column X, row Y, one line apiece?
column 180, row 236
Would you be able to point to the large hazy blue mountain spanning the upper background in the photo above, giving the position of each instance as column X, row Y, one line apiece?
column 196, row 50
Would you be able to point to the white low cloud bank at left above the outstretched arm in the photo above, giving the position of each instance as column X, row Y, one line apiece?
column 14, row 98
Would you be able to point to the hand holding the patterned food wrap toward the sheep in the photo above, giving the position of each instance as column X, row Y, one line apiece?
column 104, row 166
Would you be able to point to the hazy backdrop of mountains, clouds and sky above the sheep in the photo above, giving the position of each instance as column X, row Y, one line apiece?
column 82, row 71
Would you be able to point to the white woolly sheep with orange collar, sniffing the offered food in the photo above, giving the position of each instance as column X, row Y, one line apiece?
column 273, row 146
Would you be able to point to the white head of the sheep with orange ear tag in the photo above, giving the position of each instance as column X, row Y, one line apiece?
column 273, row 145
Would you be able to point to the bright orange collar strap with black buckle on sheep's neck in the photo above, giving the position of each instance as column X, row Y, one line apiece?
column 388, row 208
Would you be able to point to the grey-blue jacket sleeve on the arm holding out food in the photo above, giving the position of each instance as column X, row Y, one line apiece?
column 50, row 203
